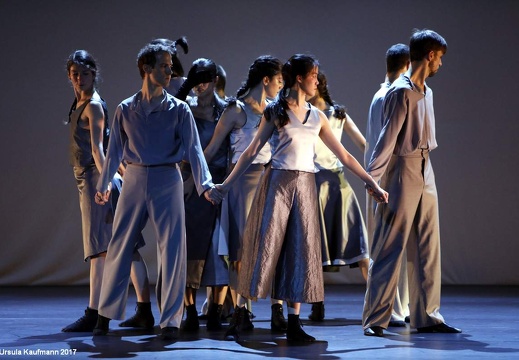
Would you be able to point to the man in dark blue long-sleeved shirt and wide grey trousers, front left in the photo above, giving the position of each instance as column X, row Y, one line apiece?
column 152, row 132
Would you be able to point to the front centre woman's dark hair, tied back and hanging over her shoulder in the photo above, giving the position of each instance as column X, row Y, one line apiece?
column 297, row 65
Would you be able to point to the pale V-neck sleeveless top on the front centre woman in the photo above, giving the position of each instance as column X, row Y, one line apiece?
column 295, row 142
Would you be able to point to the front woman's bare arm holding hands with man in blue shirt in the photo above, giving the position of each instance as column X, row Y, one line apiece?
column 247, row 157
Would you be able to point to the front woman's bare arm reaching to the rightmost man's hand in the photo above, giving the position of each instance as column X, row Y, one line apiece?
column 348, row 160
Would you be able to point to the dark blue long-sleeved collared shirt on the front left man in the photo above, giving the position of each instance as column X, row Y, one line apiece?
column 162, row 135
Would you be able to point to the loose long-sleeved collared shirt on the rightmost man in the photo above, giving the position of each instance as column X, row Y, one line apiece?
column 409, row 125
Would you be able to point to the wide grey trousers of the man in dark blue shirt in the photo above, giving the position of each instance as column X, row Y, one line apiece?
column 154, row 193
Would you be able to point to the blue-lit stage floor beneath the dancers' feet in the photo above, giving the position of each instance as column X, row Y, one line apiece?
column 31, row 319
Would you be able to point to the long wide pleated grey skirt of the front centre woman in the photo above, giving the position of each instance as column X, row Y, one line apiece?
column 282, row 241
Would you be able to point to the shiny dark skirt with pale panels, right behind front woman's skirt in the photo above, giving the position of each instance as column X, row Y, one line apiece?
column 344, row 235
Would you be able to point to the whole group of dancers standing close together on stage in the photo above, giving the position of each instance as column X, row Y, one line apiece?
column 248, row 194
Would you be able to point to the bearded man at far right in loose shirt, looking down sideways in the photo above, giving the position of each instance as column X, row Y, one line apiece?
column 410, row 221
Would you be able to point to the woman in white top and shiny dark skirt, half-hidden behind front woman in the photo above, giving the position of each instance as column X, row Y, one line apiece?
column 344, row 238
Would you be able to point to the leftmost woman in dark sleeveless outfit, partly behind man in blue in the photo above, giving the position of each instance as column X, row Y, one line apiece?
column 89, row 132
